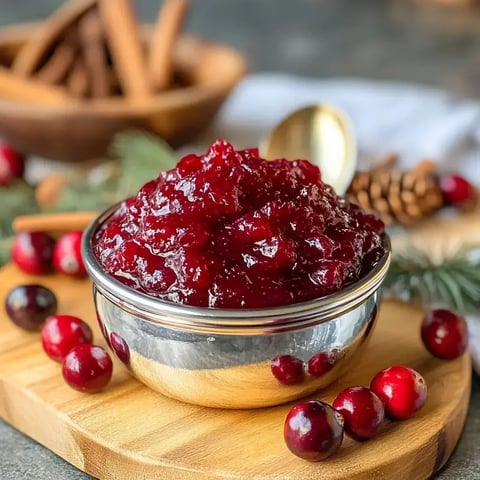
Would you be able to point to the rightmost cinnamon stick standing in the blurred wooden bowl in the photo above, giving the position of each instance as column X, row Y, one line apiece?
column 169, row 23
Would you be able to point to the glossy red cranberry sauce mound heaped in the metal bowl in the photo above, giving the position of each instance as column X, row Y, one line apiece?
column 232, row 230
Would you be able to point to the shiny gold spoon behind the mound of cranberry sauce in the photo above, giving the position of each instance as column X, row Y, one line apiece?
column 319, row 133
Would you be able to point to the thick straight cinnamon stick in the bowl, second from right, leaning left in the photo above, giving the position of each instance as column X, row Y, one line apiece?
column 122, row 34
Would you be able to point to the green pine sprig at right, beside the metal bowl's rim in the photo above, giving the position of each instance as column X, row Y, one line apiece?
column 453, row 283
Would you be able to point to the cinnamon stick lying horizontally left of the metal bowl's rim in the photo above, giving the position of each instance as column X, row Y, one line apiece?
column 53, row 222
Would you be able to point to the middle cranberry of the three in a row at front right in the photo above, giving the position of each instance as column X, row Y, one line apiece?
column 362, row 410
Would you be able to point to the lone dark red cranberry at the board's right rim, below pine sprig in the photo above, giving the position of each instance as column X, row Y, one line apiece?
column 445, row 334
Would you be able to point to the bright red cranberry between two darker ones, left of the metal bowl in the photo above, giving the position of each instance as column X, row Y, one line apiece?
column 63, row 332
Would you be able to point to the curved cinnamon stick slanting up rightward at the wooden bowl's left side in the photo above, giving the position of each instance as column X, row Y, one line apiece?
column 32, row 53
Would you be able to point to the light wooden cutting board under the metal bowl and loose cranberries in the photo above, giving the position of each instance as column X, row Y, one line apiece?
column 130, row 432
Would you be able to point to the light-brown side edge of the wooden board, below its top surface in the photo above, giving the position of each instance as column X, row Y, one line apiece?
column 60, row 435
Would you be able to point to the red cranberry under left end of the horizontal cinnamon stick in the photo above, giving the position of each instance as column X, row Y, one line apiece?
column 32, row 252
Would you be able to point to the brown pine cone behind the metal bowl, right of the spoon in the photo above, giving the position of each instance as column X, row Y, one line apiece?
column 397, row 197
